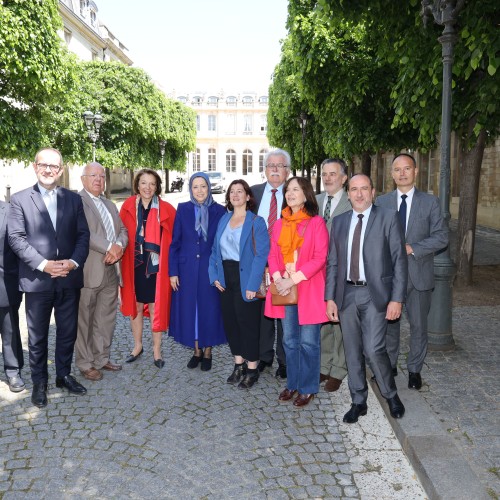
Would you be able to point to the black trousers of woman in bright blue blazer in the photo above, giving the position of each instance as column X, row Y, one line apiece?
column 241, row 319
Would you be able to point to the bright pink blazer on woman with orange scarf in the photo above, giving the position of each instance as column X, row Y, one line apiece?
column 312, row 262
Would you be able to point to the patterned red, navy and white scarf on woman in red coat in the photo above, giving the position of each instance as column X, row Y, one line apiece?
column 147, row 237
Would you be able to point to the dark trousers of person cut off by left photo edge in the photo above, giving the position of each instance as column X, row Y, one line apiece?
column 12, row 348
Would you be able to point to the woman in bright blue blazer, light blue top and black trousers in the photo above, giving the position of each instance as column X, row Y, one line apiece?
column 238, row 259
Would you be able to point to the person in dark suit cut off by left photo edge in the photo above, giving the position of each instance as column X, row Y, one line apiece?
column 10, row 300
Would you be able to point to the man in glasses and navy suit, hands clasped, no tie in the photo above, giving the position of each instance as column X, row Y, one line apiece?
column 49, row 233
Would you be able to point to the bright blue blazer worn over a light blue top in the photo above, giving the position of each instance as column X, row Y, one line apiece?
column 252, row 261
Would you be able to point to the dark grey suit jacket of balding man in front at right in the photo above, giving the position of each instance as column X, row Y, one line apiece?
column 384, row 258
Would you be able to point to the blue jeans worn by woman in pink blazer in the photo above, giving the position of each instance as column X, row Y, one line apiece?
column 302, row 351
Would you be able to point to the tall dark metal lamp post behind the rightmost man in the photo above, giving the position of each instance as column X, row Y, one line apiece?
column 445, row 13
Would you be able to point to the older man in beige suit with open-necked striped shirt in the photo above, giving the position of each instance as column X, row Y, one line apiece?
column 101, row 275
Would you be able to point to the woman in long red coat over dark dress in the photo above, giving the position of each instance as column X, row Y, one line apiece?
column 146, row 286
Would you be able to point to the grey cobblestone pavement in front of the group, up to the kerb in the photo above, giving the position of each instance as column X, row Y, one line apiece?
column 180, row 433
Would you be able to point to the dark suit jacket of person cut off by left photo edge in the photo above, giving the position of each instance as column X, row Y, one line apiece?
column 9, row 272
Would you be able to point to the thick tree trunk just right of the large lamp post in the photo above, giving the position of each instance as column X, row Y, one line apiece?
column 467, row 210
